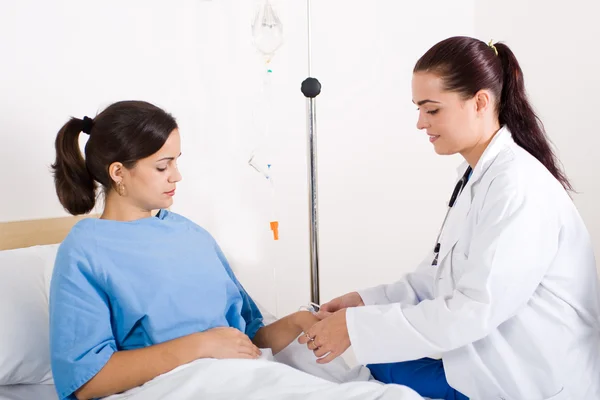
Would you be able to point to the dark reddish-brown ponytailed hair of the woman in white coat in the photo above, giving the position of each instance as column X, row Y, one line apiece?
column 468, row 65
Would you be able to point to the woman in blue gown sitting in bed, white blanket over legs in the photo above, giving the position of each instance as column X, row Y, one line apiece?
column 135, row 296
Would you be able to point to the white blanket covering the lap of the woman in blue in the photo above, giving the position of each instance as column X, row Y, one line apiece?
column 267, row 378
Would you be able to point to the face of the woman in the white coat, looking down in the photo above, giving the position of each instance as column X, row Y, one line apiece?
column 449, row 120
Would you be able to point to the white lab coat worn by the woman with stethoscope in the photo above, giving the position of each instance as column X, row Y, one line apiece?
column 513, row 306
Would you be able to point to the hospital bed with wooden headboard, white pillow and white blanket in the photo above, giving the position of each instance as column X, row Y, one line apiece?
column 27, row 254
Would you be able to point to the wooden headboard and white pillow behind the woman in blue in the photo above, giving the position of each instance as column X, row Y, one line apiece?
column 26, row 258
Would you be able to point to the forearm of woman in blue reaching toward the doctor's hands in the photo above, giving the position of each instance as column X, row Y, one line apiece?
column 278, row 335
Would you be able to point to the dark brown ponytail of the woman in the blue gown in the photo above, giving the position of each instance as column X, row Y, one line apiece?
column 74, row 184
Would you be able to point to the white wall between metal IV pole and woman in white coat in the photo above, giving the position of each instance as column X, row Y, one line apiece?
column 382, row 188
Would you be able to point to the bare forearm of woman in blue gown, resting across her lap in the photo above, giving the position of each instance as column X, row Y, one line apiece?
column 131, row 368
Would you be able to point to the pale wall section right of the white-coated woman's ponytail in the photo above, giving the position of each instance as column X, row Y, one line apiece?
column 556, row 45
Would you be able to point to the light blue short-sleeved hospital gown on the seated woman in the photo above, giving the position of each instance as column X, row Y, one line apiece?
column 127, row 285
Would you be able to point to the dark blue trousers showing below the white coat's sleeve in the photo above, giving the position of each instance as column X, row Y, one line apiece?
column 425, row 376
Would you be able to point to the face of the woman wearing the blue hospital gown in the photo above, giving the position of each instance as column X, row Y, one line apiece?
column 151, row 184
